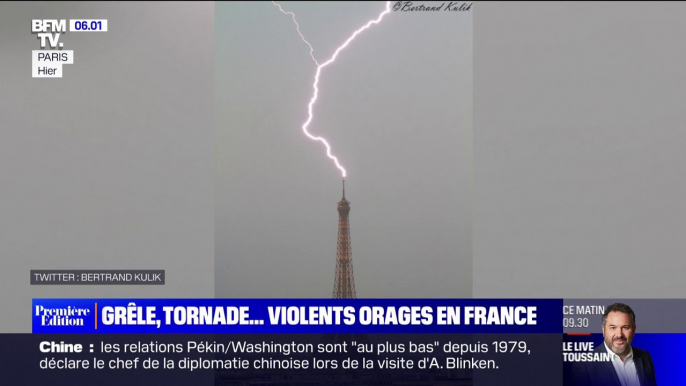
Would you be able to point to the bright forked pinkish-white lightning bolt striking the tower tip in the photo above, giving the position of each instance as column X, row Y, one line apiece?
column 315, row 94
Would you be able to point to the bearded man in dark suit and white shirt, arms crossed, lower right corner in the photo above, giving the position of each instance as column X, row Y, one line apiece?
column 629, row 366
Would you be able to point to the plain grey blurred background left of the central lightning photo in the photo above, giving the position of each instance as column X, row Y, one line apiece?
column 109, row 167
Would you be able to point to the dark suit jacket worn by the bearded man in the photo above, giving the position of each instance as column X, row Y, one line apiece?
column 604, row 374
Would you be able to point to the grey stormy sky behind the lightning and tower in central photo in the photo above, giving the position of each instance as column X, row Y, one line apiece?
column 396, row 108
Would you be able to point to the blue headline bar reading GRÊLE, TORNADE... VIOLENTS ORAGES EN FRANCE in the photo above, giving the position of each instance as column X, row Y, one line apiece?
column 48, row 315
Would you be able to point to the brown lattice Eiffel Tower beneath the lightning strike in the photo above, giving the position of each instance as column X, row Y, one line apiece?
column 344, row 282
